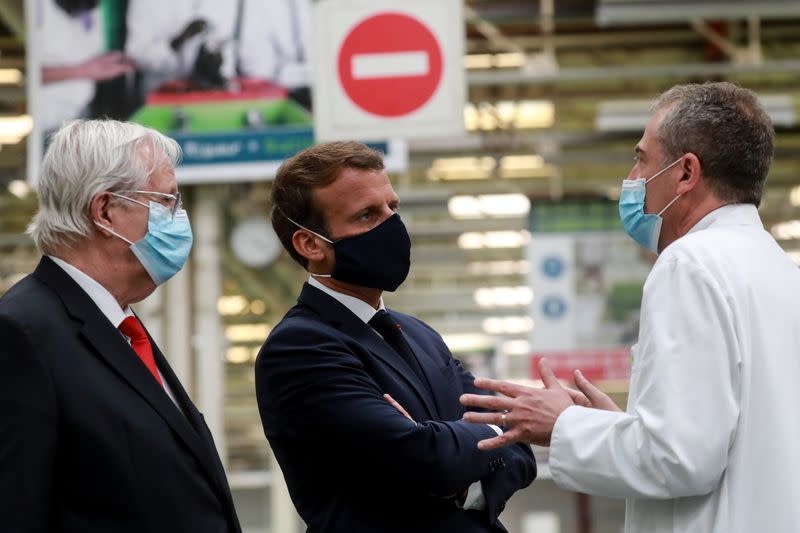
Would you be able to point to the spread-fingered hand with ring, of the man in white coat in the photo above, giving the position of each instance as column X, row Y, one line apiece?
column 528, row 413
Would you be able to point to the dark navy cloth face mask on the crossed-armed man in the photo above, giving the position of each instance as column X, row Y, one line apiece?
column 379, row 258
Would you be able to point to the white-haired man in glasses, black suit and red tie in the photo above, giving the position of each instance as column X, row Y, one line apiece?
column 96, row 432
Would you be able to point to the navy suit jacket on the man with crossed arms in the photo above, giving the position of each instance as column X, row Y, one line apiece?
column 352, row 462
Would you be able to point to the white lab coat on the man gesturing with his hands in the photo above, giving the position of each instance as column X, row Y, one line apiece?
column 709, row 441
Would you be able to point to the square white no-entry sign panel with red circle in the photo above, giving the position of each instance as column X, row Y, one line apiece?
column 387, row 71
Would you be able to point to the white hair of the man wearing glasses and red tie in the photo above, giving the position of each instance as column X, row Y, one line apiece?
column 84, row 158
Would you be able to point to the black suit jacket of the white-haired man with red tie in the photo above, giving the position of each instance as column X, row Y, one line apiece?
column 89, row 441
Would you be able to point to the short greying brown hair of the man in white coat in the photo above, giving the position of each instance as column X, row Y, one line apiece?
column 727, row 129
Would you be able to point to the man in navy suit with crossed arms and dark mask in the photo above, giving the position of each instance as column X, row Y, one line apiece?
column 359, row 403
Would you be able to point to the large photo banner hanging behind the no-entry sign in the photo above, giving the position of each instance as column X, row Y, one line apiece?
column 229, row 80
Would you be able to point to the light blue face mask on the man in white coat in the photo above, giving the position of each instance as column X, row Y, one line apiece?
column 643, row 228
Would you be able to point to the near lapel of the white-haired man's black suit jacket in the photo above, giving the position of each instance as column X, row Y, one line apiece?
column 108, row 344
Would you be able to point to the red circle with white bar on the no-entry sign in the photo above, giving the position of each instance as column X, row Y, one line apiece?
column 390, row 64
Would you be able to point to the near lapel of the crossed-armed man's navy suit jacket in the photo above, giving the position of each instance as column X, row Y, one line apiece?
column 338, row 316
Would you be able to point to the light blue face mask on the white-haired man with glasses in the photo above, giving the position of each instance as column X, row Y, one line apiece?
column 165, row 247
